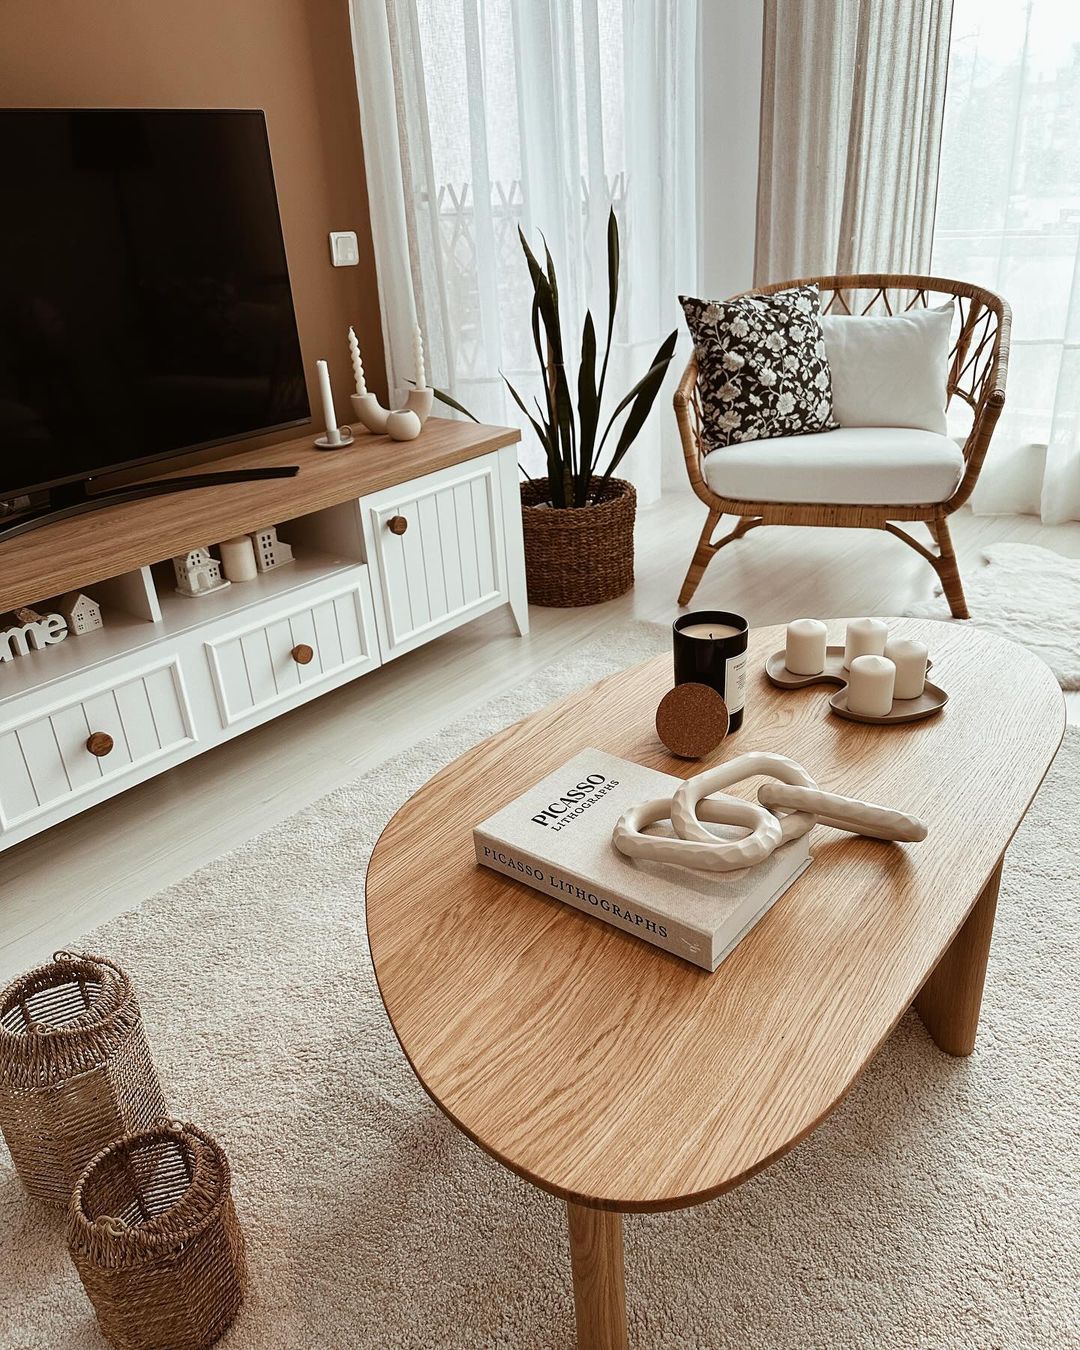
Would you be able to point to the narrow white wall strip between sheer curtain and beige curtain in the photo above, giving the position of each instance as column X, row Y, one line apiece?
column 731, row 114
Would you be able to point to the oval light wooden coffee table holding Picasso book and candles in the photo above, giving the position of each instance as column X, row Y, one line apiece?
column 623, row 1079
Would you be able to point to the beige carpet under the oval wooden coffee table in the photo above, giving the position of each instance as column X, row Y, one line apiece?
column 935, row 1210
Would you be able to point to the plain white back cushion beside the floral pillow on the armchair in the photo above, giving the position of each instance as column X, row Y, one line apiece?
column 890, row 371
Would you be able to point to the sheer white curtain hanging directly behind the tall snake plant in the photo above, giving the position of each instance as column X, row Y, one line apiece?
column 481, row 117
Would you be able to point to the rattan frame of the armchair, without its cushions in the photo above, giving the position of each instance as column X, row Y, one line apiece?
column 978, row 365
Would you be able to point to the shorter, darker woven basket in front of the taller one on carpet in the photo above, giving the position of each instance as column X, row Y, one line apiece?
column 155, row 1237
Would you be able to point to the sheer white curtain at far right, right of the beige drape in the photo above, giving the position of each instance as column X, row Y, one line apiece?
column 1009, row 218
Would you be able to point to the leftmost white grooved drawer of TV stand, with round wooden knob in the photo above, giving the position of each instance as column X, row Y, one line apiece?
column 52, row 757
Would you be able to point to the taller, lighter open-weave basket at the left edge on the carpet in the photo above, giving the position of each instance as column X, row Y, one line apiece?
column 75, row 1070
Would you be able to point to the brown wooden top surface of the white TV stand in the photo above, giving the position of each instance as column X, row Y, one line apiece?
column 75, row 554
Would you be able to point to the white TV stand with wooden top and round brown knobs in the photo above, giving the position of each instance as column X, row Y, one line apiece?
column 395, row 543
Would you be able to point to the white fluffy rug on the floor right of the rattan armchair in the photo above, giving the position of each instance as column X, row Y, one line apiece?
column 1029, row 595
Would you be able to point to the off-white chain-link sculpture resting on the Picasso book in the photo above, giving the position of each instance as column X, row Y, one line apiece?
column 792, row 804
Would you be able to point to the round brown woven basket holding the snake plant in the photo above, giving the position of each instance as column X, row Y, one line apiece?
column 578, row 556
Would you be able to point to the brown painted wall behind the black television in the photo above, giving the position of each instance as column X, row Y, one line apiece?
column 292, row 59
